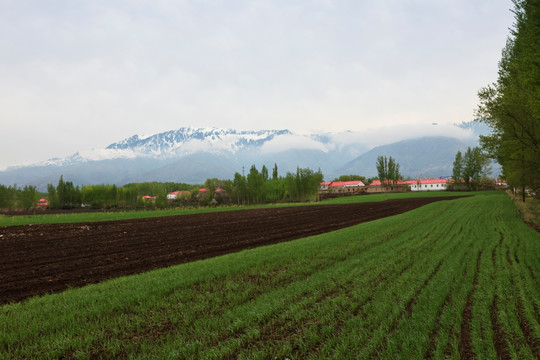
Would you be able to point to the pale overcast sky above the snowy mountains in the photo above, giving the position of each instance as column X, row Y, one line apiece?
column 77, row 75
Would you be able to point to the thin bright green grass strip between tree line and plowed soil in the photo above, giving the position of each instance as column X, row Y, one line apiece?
column 124, row 215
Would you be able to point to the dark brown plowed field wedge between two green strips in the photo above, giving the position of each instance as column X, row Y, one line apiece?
column 43, row 259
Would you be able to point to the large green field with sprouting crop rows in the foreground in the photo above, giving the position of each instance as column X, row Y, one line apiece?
column 454, row 279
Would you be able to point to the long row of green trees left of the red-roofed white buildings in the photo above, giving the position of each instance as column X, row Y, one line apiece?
column 258, row 187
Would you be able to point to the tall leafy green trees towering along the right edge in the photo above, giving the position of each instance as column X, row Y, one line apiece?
column 511, row 106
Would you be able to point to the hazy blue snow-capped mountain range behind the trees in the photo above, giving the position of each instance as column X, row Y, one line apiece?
column 191, row 155
